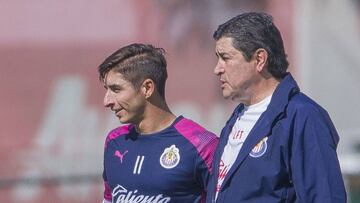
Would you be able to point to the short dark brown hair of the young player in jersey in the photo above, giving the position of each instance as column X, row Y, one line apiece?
column 137, row 62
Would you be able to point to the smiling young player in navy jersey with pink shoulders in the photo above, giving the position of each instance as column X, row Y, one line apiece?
column 155, row 156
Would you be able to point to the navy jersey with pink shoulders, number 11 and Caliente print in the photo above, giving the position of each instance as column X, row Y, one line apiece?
column 172, row 165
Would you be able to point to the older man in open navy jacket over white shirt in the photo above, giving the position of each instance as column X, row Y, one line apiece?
column 278, row 145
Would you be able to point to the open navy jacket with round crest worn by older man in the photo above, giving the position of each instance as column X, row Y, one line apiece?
column 289, row 156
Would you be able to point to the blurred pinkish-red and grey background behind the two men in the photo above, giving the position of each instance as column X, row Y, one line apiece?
column 53, row 124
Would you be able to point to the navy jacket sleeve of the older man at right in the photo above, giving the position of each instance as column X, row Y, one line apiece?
column 315, row 168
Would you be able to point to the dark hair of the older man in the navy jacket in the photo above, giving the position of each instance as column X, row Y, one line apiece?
column 251, row 31
